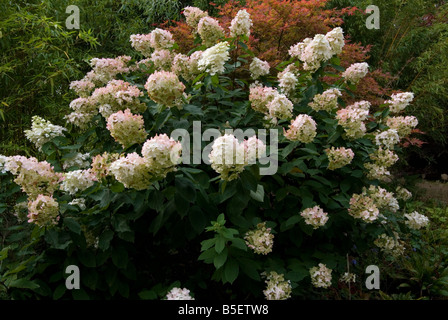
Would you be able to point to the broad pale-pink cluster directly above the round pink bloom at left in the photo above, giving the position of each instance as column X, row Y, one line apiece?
column 118, row 95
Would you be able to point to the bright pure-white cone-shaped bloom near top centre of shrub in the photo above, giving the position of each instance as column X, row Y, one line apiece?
column 214, row 58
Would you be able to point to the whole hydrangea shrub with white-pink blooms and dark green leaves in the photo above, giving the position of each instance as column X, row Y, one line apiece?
column 145, row 212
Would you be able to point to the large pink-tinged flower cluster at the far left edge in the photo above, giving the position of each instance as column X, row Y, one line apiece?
column 33, row 176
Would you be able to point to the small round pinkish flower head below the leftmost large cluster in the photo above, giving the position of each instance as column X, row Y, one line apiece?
column 43, row 211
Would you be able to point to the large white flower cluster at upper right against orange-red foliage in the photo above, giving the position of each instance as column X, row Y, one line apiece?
column 312, row 52
